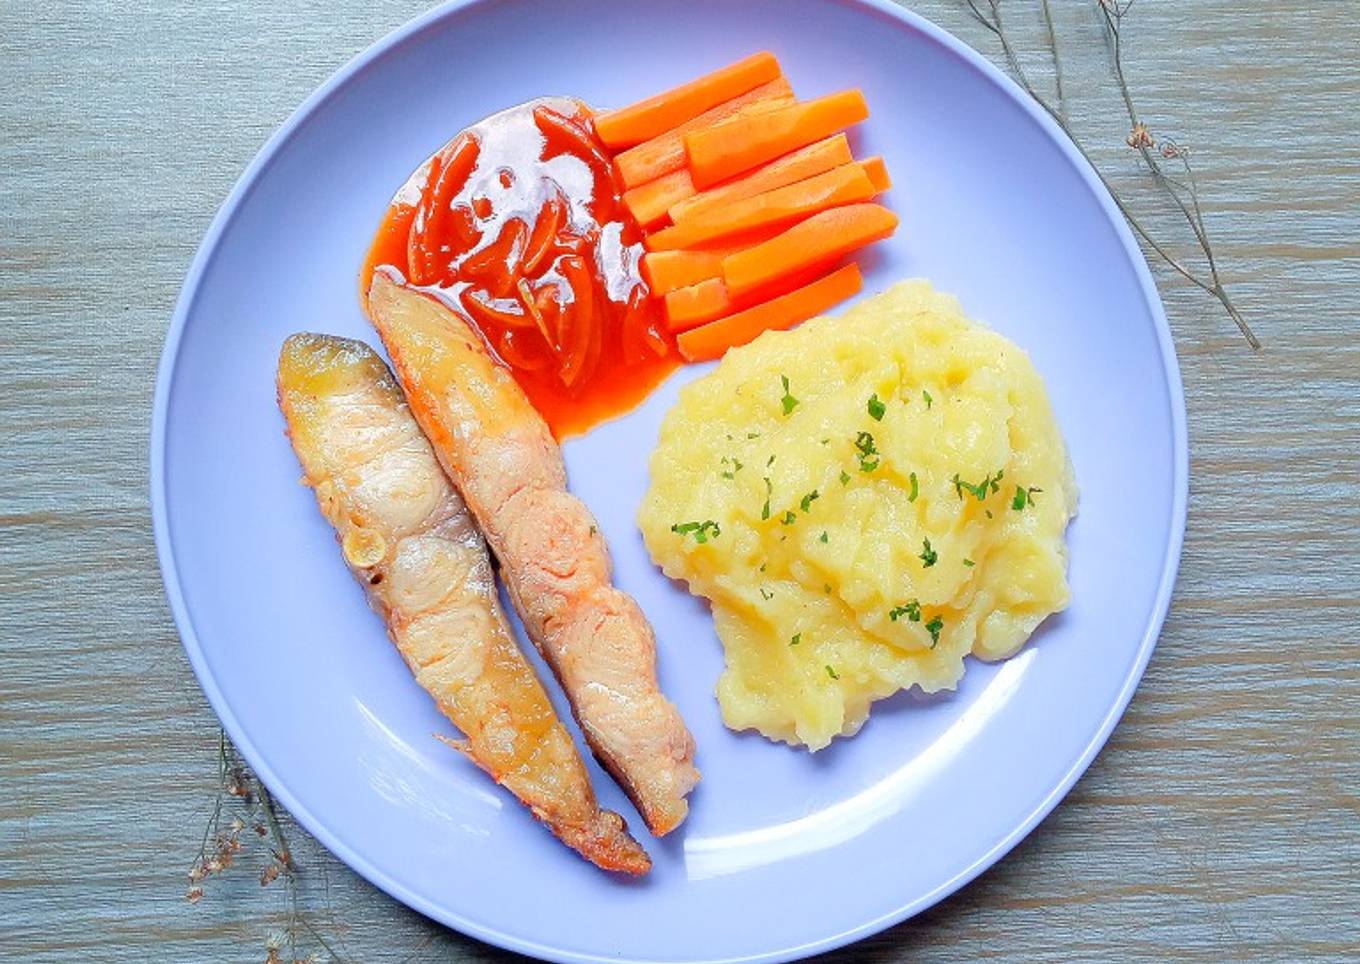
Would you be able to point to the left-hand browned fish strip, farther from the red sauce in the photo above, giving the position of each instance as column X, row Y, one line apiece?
column 411, row 543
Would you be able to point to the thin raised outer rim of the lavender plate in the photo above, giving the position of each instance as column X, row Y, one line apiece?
column 184, row 622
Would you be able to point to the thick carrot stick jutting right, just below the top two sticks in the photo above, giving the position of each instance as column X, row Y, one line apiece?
column 741, row 143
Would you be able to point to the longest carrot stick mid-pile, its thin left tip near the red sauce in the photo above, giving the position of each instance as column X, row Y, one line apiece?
column 783, row 206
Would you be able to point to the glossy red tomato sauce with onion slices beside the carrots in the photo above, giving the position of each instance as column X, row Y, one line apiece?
column 517, row 224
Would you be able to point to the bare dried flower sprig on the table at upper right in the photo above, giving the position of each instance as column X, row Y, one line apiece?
column 1183, row 191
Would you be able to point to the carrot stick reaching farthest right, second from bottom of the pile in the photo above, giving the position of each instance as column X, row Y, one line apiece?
column 823, row 236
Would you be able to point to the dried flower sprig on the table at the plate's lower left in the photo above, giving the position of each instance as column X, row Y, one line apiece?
column 222, row 846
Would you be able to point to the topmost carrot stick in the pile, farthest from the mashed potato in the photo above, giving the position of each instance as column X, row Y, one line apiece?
column 658, row 115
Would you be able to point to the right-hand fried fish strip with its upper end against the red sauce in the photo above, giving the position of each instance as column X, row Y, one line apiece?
column 509, row 468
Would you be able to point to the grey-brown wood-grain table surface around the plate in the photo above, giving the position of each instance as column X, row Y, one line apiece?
column 1223, row 819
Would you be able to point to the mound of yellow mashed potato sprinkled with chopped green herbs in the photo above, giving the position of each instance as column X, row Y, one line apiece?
column 864, row 501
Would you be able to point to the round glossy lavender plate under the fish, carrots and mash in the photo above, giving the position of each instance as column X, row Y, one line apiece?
column 785, row 853
